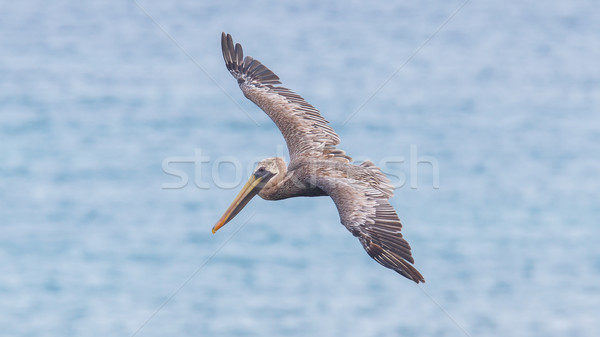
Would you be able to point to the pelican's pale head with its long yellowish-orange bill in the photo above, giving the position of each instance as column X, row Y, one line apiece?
column 260, row 180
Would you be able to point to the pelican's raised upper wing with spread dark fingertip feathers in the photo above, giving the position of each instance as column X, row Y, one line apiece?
column 306, row 132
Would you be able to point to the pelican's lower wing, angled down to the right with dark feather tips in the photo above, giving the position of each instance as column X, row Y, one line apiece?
column 362, row 202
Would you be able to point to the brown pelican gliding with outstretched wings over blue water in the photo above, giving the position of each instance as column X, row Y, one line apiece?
column 317, row 167
